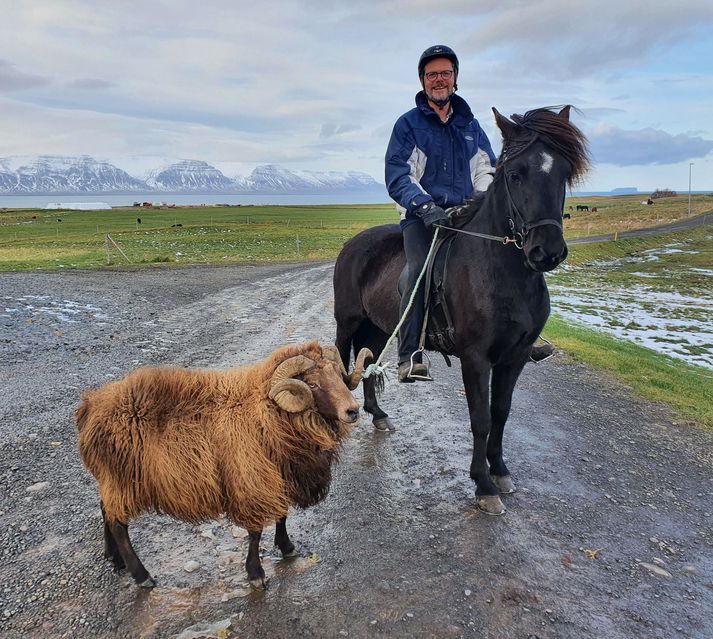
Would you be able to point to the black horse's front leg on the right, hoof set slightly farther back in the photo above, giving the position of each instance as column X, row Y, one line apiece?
column 501, row 389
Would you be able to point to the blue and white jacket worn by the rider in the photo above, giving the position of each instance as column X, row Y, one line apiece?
column 431, row 160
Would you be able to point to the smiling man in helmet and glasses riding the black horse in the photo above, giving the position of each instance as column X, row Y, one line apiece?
column 437, row 156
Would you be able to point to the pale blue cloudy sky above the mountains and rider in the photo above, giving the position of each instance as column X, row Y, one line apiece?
column 316, row 85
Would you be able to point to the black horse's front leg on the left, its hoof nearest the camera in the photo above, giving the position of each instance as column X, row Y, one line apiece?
column 476, row 378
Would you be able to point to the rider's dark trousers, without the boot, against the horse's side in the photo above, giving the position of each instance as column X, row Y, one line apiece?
column 417, row 241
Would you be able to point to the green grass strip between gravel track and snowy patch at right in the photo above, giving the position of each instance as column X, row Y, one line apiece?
column 688, row 390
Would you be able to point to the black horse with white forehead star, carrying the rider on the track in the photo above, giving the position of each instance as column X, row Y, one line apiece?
column 496, row 293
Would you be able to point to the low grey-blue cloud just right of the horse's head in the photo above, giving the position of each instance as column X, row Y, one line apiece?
column 620, row 147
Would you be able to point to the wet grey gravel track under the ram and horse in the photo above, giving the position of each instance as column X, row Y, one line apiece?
column 606, row 485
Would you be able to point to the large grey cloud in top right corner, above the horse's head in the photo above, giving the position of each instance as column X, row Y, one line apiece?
column 578, row 39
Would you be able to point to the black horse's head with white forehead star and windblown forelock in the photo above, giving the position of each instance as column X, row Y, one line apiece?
column 543, row 153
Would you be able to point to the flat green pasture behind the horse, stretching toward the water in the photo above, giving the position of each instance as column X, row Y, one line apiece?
column 32, row 239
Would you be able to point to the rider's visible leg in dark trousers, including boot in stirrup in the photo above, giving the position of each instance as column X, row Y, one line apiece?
column 416, row 244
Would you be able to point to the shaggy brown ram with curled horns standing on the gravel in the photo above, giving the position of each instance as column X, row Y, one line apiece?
column 249, row 442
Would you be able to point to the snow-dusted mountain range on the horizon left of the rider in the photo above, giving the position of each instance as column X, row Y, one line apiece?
column 64, row 175
